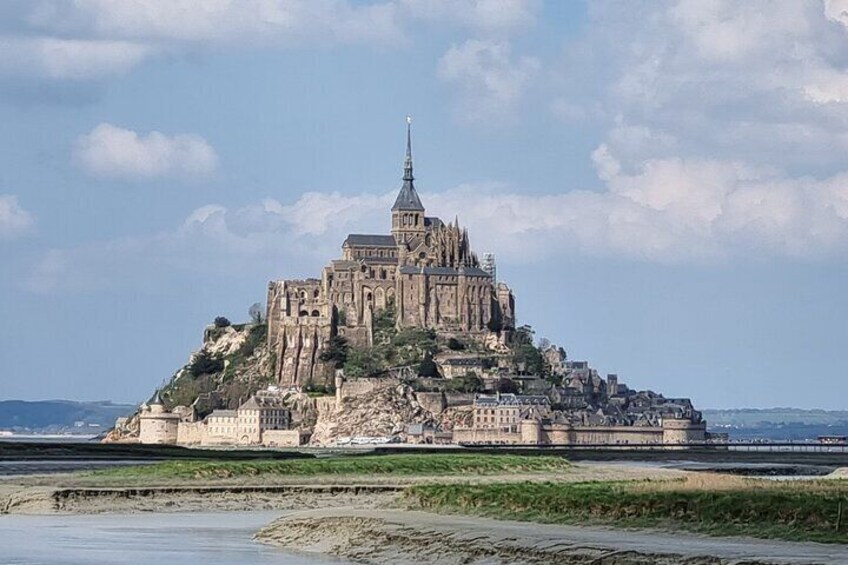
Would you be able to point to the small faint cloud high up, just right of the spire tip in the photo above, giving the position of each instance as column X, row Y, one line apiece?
column 490, row 81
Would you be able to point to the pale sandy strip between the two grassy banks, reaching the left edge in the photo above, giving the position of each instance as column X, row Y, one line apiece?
column 90, row 494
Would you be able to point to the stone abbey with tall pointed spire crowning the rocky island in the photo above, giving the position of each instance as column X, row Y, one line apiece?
column 424, row 270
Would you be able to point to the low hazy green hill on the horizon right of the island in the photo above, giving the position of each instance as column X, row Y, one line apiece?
column 777, row 424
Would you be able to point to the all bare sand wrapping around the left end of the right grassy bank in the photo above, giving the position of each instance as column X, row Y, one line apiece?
column 359, row 518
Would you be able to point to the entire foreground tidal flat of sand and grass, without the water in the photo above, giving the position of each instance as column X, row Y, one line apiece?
column 469, row 508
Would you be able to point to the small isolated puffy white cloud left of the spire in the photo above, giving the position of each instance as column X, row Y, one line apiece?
column 111, row 151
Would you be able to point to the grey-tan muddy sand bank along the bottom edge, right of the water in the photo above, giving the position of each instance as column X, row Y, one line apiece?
column 395, row 536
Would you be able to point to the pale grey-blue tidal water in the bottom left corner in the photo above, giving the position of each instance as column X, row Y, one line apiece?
column 222, row 538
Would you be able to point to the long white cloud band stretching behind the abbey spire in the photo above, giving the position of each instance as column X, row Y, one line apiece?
column 669, row 211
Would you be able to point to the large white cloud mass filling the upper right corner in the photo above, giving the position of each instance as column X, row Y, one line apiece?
column 712, row 78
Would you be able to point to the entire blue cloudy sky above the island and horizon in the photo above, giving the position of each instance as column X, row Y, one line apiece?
column 664, row 184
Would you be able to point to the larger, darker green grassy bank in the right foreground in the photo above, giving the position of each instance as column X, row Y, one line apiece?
column 800, row 511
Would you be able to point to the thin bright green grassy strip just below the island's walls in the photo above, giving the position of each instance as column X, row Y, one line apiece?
column 408, row 465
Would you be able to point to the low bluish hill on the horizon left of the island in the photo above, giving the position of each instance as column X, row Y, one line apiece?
column 59, row 415
